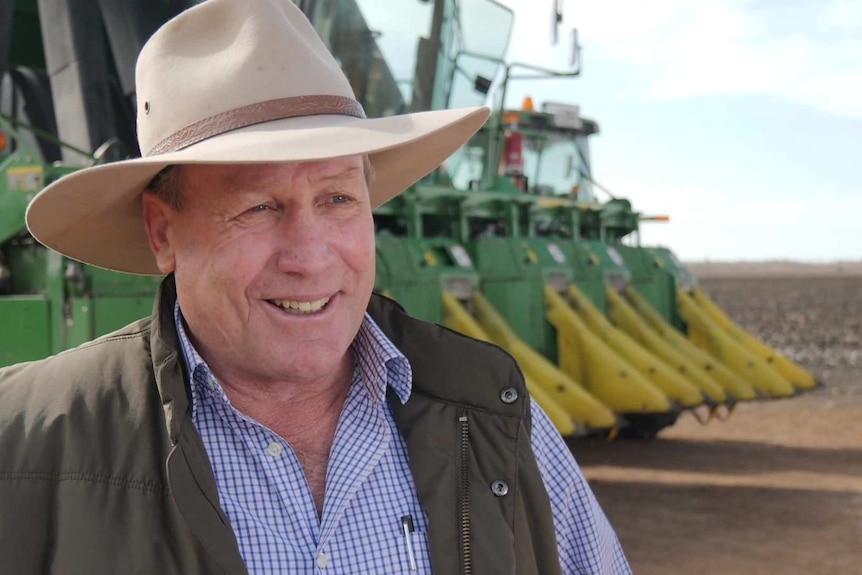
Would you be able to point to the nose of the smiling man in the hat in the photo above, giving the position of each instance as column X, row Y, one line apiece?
column 303, row 246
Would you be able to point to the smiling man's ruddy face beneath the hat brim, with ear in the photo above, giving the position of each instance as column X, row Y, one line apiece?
column 274, row 265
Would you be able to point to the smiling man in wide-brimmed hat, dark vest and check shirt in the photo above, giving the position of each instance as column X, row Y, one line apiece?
column 260, row 421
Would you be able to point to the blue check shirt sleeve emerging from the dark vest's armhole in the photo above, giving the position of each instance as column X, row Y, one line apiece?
column 586, row 541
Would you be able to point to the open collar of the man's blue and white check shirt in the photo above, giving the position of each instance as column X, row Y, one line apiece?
column 379, row 363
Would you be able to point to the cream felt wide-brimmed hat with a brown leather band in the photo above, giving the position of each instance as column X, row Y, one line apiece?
column 235, row 81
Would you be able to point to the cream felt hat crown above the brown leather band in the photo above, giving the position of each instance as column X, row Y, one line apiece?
column 223, row 55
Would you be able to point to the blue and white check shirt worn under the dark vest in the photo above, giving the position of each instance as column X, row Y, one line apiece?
column 369, row 487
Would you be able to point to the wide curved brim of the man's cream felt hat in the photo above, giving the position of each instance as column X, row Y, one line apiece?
column 95, row 216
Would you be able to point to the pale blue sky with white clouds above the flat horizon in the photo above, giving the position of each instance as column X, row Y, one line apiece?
column 739, row 119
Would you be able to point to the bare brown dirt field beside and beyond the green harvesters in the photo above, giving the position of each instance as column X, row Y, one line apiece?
column 777, row 489
